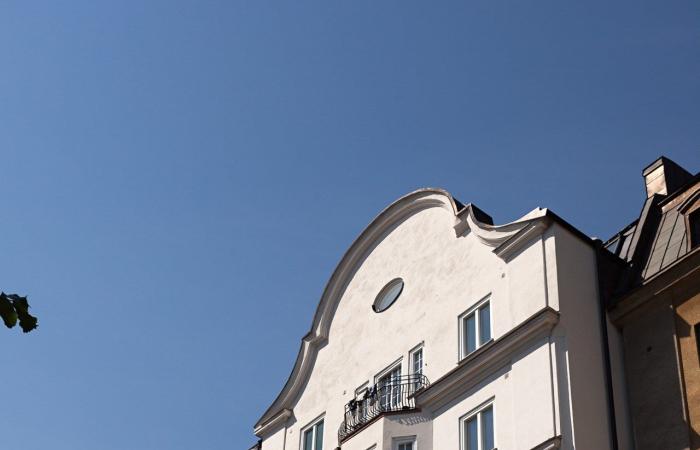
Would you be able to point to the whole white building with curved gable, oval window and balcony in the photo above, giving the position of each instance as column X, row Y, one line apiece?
column 439, row 330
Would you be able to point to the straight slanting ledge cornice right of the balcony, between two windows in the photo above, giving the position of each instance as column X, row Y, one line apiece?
column 484, row 361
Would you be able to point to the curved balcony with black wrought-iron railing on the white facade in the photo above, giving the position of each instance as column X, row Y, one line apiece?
column 395, row 395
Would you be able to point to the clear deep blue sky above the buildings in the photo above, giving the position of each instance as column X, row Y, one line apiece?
column 180, row 178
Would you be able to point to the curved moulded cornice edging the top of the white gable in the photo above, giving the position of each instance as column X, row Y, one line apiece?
column 499, row 237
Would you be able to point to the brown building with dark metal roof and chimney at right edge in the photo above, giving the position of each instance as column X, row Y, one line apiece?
column 654, row 286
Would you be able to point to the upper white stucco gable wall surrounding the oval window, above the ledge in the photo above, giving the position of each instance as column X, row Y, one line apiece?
column 444, row 276
